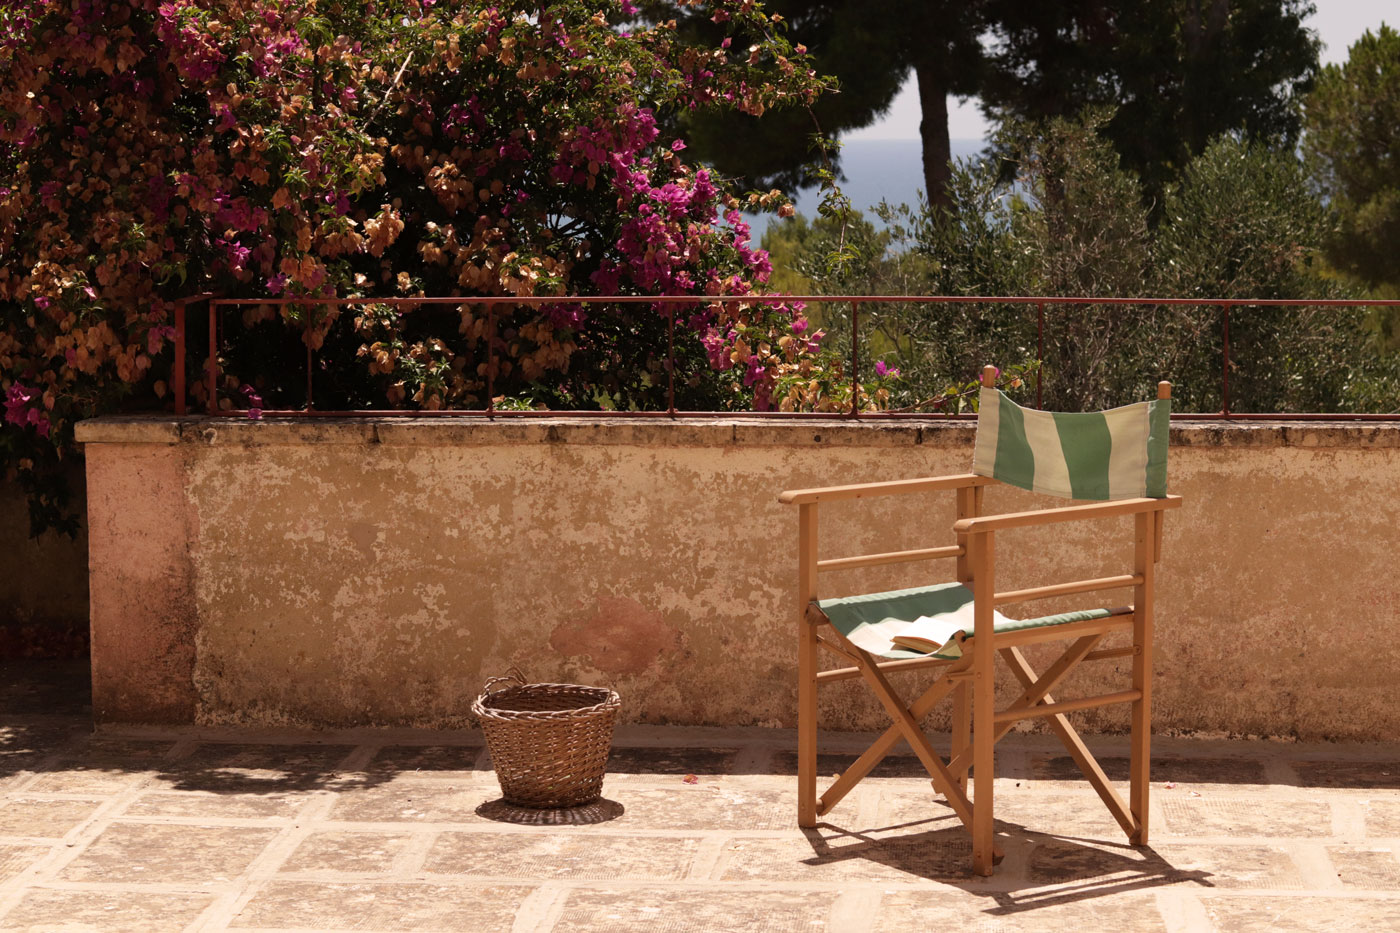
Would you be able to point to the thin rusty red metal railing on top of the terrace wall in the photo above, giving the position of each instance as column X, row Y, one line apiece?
column 218, row 305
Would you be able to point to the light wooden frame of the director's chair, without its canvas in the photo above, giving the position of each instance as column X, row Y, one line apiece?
column 971, row 680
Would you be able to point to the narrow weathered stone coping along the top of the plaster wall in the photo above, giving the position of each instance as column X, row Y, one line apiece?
column 692, row 432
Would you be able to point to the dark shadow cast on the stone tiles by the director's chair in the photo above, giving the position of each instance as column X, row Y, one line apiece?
column 1041, row 869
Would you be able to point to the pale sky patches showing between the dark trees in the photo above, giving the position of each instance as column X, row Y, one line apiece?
column 1339, row 23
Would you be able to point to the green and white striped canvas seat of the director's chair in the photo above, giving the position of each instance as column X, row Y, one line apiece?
column 870, row 621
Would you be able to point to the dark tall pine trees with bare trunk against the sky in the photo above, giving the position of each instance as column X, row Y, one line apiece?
column 1178, row 72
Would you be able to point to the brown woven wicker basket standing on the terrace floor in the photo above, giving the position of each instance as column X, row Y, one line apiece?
column 549, row 743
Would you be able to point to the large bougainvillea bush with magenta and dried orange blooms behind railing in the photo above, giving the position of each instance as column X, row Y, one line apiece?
column 152, row 151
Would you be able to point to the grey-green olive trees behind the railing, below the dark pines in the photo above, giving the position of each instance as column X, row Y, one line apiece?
column 1242, row 223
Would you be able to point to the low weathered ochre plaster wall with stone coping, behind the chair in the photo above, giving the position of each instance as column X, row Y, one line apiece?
column 339, row 574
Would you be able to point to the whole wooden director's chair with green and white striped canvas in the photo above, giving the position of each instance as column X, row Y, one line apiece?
column 1116, row 457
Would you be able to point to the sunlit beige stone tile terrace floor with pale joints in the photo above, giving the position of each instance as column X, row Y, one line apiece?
column 373, row 830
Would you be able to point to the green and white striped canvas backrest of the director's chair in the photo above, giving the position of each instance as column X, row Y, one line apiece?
column 1115, row 455
